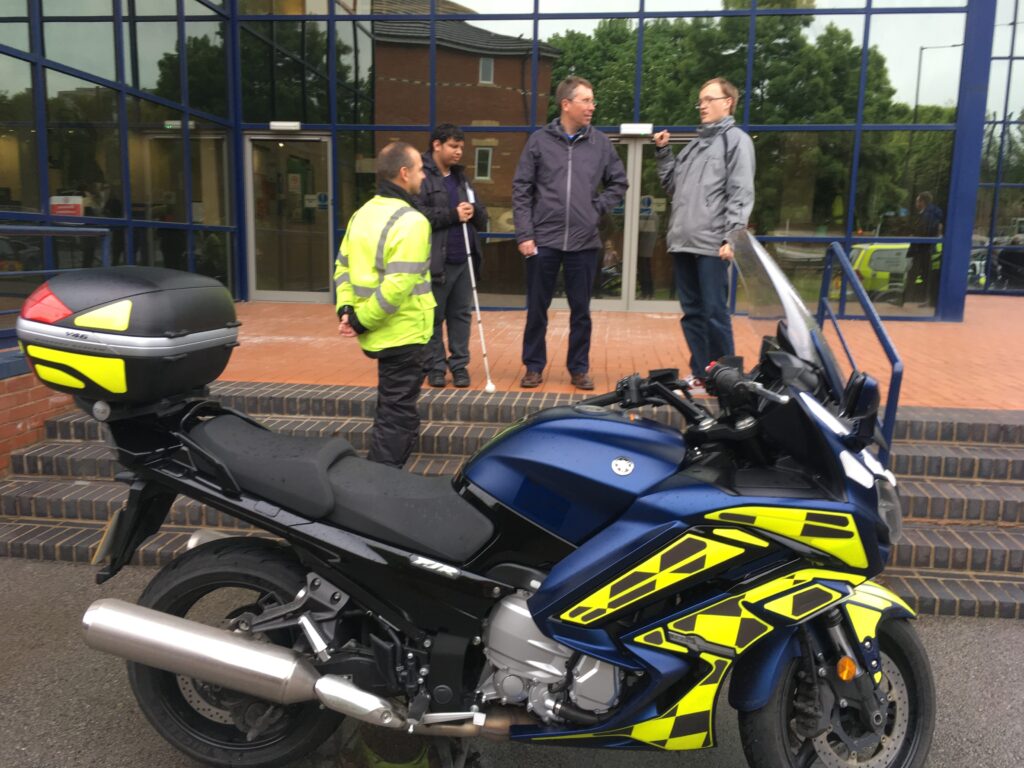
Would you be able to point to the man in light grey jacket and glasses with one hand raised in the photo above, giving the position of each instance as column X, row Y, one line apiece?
column 711, row 184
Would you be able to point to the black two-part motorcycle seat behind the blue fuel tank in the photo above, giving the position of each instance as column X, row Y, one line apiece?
column 324, row 480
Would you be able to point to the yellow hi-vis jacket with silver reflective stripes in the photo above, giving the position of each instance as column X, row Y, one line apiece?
column 383, row 272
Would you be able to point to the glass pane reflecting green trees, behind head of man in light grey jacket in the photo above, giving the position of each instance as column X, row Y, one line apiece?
column 676, row 65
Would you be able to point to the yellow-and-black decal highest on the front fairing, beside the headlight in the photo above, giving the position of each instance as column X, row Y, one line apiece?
column 834, row 533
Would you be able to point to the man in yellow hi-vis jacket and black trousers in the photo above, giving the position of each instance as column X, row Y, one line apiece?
column 382, row 277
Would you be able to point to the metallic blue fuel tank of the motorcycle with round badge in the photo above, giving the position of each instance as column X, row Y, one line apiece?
column 574, row 470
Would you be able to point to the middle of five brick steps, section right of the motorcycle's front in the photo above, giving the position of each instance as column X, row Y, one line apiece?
column 962, row 502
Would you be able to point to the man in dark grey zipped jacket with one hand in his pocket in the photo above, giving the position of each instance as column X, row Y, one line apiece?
column 559, row 201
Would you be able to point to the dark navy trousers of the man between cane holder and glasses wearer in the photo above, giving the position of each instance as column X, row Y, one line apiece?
column 542, row 273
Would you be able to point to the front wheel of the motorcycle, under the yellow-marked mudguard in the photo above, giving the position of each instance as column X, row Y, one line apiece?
column 771, row 739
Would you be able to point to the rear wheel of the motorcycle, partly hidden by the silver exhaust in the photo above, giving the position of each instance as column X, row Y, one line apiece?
column 210, row 584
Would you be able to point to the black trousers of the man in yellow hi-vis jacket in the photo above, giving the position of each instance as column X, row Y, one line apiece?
column 397, row 425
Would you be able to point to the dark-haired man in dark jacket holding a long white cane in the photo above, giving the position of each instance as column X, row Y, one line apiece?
column 444, row 199
